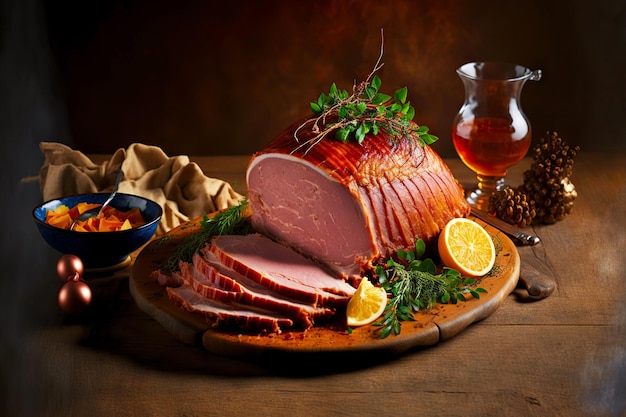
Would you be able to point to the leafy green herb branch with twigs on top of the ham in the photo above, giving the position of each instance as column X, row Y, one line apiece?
column 353, row 116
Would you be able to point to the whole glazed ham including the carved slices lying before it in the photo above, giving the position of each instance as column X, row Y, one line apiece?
column 324, row 213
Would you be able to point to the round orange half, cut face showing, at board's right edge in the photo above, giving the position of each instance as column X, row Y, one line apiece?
column 465, row 246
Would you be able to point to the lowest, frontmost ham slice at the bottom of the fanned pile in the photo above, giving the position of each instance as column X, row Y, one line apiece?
column 225, row 315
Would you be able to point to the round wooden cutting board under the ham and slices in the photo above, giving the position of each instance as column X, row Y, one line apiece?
column 429, row 328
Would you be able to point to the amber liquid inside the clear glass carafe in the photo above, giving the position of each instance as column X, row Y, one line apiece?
column 490, row 146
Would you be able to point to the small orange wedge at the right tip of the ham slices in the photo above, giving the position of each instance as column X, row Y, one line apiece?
column 366, row 304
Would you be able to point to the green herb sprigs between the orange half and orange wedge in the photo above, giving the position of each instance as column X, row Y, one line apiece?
column 414, row 284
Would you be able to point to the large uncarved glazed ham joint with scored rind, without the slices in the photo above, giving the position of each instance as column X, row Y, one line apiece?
column 348, row 205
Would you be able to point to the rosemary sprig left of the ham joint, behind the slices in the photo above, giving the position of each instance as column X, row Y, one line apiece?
column 231, row 221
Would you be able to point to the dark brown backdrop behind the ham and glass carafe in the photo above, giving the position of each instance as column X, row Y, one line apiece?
column 211, row 78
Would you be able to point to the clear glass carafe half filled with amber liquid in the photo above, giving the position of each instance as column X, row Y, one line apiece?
column 490, row 132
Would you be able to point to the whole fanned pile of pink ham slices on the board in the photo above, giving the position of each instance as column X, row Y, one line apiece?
column 252, row 283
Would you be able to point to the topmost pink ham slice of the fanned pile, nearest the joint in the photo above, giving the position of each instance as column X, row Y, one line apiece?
column 280, row 269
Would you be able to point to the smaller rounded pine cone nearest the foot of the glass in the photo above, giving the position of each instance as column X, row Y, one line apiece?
column 512, row 206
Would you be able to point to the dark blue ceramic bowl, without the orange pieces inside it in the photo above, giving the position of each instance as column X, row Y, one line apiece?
column 99, row 249
